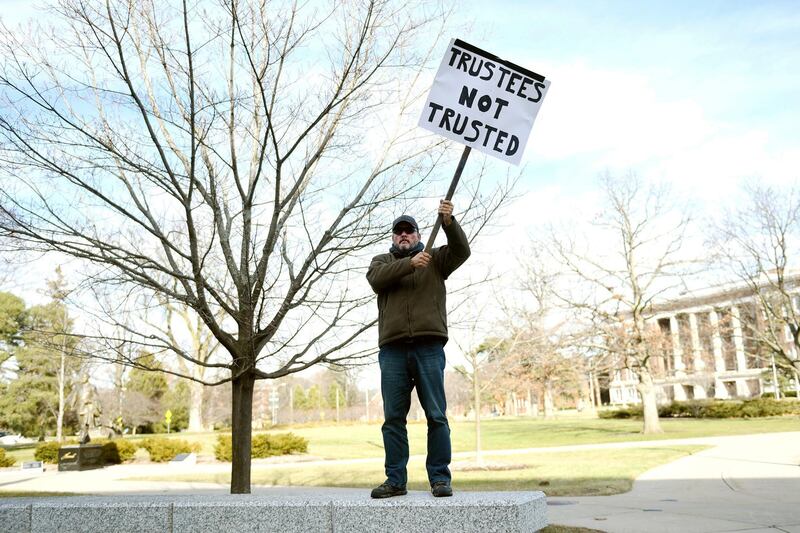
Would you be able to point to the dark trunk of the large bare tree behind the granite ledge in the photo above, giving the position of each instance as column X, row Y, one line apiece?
column 242, row 432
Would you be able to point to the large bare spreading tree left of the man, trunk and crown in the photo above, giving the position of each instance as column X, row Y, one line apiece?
column 238, row 159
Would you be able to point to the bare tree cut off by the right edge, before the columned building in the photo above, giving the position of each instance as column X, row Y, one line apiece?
column 758, row 242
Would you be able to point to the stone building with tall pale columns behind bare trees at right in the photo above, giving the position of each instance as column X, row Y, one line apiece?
column 708, row 349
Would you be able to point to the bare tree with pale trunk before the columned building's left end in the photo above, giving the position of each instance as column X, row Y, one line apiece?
column 613, row 283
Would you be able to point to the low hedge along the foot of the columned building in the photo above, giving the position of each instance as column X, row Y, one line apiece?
column 754, row 408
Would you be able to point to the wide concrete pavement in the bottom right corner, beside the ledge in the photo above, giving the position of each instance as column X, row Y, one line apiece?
column 745, row 483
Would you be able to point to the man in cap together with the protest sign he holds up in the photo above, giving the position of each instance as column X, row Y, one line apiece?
column 488, row 104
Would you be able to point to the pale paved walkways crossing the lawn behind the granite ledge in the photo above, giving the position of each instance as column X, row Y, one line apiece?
column 744, row 483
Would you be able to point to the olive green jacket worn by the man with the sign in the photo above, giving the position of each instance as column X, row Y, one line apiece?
column 412, row 302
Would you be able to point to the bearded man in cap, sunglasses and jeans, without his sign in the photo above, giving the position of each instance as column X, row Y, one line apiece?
column 412, row 332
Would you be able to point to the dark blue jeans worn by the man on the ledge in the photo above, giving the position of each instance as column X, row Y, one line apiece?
column 405, row 366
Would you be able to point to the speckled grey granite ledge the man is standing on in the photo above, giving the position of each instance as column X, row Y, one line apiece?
column 289, row 510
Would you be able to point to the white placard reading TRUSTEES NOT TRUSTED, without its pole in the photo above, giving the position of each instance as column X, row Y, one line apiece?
column 484, row 102
